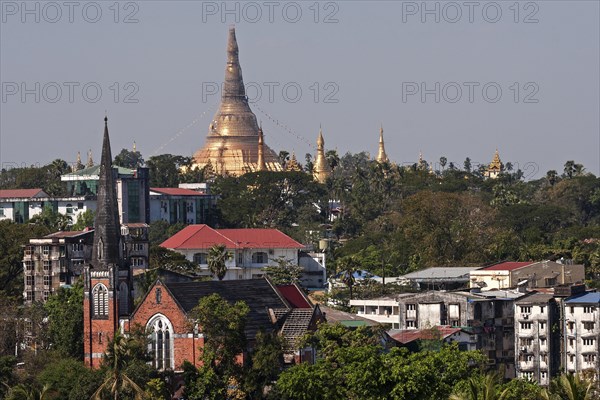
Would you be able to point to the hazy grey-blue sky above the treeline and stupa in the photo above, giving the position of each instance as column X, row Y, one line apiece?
column 454, row 79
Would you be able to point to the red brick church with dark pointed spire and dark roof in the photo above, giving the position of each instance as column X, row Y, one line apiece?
column 163, row 311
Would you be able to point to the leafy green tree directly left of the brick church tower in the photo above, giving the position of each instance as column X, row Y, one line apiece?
column 65, row 321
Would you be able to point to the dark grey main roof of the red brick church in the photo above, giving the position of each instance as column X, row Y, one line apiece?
column 258, row 294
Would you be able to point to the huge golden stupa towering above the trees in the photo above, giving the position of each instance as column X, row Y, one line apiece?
column 232, row 144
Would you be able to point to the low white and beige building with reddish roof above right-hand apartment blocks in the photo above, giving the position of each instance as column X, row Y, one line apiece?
column 532, row 275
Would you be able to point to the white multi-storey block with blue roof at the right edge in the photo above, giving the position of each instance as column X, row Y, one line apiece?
column 582, row 333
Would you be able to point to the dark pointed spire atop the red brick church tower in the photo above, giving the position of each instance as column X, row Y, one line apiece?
column 107, row 230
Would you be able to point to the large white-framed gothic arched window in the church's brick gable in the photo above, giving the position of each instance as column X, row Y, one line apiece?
column 161, row 342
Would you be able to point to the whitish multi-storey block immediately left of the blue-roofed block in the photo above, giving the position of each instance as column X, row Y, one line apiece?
column 537, row 337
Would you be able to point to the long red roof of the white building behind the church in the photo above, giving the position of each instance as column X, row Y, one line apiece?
column 204, row 237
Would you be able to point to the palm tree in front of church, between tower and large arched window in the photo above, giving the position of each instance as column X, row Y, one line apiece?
column 116, row 358
